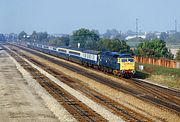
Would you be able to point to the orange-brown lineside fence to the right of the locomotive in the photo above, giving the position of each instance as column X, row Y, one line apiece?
column 160, row 62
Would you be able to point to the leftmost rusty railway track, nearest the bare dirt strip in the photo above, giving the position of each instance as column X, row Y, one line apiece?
column 78, row 109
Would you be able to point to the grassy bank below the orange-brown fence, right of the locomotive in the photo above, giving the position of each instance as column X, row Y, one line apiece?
column 162, row 75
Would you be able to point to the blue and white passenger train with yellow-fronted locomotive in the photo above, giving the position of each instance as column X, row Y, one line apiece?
column 118, row 64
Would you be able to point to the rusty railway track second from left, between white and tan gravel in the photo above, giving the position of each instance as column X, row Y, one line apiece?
column 116, row 108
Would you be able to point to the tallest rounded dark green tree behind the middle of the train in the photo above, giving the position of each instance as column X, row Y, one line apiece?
column 85, row 37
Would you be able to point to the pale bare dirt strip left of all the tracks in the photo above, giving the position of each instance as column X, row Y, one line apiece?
column 18, row 102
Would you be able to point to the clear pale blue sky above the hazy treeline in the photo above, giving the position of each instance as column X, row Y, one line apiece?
column 65, row 16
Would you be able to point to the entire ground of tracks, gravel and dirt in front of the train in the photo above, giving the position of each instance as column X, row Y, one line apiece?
column 39, row 87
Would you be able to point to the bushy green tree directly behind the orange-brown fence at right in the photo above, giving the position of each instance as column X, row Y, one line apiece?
column 155, row 48
